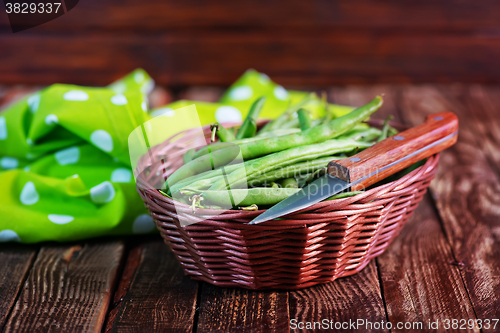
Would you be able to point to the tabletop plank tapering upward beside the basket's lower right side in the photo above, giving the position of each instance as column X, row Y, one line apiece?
column 419, row 282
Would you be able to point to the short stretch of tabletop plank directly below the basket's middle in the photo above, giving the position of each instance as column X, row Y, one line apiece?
column 241, row 310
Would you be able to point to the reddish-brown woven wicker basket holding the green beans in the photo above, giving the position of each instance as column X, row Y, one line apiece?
column 329, row 240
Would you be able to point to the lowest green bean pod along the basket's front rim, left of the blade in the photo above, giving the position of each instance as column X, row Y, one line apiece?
column 258, row 196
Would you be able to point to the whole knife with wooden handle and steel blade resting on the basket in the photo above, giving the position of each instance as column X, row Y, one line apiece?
column 375, row 163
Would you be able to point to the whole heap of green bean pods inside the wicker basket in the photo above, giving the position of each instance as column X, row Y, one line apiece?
column 279, row 158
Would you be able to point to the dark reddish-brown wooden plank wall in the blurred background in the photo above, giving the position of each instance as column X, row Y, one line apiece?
column 297, row 43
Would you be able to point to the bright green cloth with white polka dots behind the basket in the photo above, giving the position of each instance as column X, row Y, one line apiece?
column 64, row 160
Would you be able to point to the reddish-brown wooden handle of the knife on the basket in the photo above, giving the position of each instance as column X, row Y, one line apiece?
column 397, row 152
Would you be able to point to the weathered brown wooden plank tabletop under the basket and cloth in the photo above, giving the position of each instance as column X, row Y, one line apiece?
column 445, row 264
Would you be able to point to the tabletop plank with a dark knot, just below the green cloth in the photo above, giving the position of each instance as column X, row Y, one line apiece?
column 68, row 288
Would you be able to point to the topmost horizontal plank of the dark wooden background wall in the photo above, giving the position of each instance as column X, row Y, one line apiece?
column 155, row 15
